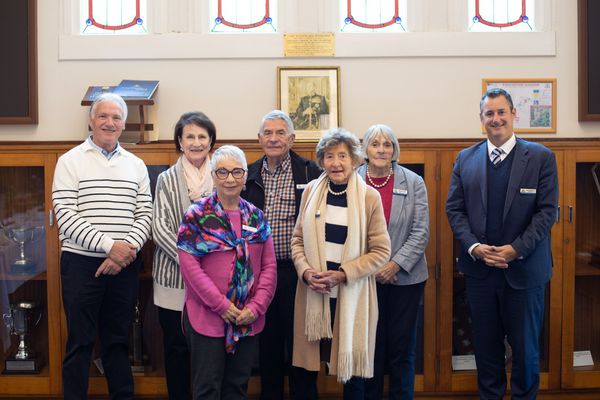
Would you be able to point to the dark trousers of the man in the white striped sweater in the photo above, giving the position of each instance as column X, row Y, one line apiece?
column 101, row 305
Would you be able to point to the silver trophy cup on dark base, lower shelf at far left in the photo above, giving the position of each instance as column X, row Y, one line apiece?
column 23, row 318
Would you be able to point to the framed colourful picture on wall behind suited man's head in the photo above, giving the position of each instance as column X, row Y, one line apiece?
column 534, row 99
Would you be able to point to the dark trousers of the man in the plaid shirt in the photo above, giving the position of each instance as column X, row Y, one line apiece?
column 276, row 340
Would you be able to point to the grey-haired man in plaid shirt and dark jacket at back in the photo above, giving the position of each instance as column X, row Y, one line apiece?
column 275, row 184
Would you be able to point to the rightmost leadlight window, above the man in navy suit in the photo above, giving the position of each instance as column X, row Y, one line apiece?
column 501, row 15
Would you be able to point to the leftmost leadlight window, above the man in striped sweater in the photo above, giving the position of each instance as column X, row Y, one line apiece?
column 113, row 17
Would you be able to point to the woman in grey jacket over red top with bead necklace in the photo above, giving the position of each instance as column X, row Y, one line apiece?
column 401, row 281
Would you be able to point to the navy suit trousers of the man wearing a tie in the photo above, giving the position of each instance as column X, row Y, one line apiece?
column 497, row 310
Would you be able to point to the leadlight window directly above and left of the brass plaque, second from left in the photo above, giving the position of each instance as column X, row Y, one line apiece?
column 238, row 16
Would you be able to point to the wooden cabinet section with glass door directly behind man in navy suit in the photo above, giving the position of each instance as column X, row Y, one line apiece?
column 454, row 315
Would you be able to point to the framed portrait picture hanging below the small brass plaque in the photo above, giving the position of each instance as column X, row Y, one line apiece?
column 311, row 97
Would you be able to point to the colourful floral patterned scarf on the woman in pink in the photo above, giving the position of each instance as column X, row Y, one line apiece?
column 206, row 228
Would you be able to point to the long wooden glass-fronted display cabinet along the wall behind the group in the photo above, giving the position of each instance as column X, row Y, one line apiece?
column 572, row 298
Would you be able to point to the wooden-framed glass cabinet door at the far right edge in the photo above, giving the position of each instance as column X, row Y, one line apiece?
column 581, row 320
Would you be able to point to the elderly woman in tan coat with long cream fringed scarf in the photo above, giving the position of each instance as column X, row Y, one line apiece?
column 339, row 242
